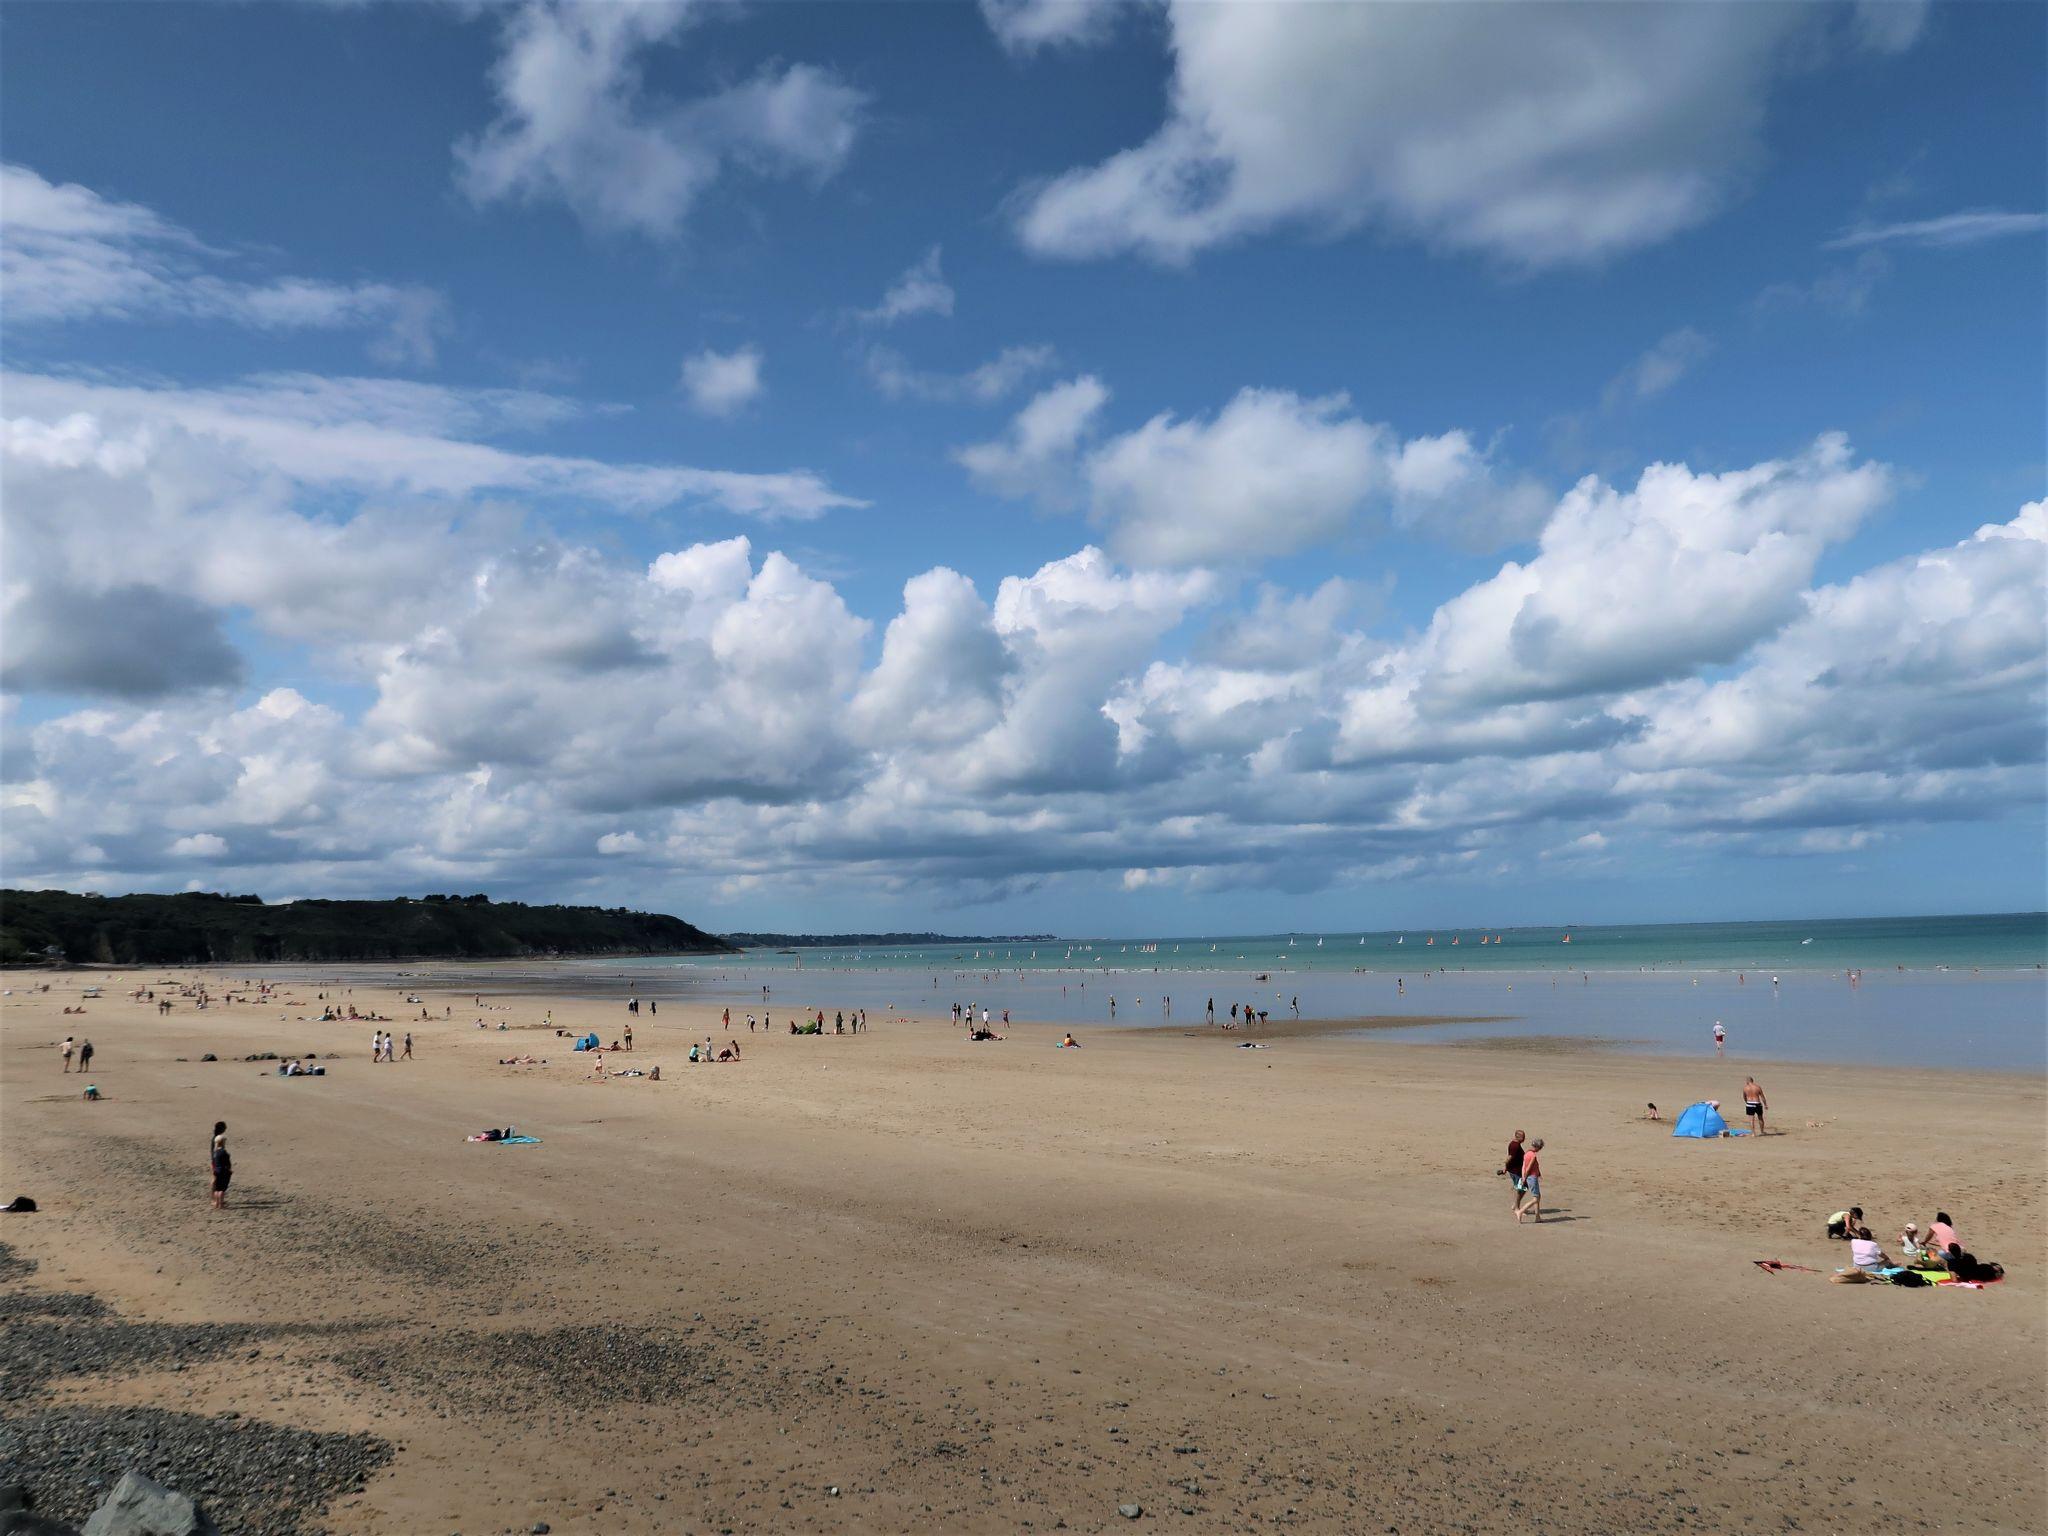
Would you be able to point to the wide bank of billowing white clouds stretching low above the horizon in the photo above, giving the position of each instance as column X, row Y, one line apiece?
column 546, row 718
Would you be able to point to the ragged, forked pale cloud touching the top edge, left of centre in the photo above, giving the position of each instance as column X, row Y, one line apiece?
column 574, row 126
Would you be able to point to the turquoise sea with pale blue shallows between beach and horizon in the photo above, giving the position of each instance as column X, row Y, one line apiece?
column 1938, row 992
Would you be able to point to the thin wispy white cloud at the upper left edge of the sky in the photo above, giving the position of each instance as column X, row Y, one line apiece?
column 69, row 253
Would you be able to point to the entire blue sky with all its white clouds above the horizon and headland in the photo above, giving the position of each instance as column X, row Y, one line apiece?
column 386, row 386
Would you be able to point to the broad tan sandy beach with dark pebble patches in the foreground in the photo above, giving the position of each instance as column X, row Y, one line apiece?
column 906, row 1283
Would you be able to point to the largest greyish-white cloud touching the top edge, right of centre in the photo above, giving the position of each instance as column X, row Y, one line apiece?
column 1539, row 134
